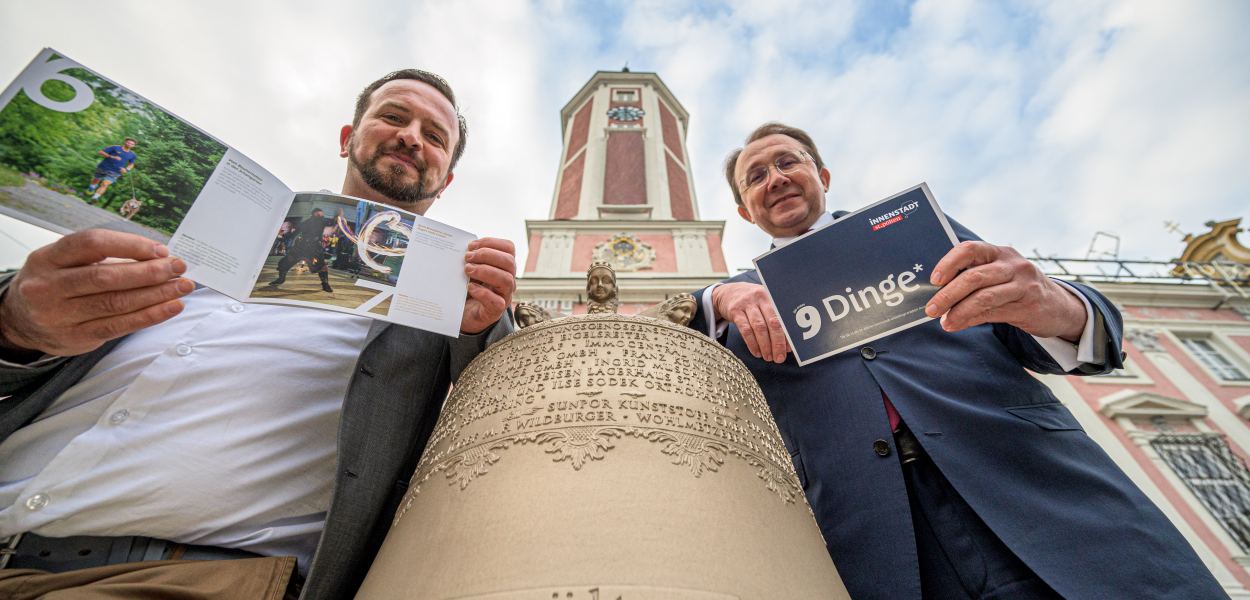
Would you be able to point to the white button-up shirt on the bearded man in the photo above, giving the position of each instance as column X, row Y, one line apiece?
column 217, row 428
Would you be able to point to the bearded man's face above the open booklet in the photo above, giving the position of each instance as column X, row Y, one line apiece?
column 402, row 149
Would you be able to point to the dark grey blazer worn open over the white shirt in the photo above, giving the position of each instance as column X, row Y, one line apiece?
column 392, row 406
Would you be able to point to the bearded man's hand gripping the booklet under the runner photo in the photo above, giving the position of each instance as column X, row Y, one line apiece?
column 67, row 301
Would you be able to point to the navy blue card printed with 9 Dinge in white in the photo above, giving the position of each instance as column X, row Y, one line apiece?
column 859, row 279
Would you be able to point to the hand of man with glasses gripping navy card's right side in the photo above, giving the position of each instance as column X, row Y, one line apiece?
column 983, row 283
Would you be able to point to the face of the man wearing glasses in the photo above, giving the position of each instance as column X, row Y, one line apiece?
column 786, row 204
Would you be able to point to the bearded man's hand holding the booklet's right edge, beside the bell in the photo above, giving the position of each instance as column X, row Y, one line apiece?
column 491, row 264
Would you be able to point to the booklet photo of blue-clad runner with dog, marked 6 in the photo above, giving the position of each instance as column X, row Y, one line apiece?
column 78, row 152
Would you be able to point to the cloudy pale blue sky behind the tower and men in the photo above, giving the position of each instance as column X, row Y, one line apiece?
column 1037, row 124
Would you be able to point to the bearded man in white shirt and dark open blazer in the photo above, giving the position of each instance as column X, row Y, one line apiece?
column 149, row 421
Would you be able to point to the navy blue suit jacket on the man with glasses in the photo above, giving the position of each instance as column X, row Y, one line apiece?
column 1014, row 453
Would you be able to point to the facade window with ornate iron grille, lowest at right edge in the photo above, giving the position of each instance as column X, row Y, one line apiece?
column 1213, row 474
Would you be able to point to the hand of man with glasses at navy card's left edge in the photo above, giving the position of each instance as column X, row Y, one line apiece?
column 748, row 307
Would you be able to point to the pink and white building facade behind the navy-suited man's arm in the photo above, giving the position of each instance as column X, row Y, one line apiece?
column 1177, row 418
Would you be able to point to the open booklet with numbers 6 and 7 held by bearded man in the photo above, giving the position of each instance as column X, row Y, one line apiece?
column 78, row 152
